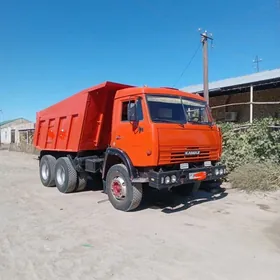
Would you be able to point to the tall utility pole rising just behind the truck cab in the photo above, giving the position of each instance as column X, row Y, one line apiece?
column 204, row 40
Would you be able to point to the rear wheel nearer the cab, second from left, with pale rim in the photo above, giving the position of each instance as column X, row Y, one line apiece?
column 66, row 177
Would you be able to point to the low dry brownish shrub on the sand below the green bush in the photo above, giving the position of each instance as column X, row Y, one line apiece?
column 256, row 177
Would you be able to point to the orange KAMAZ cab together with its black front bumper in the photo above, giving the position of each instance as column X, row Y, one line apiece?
column 167, row 136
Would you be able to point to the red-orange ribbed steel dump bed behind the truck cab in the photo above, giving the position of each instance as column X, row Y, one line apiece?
column 81, row 122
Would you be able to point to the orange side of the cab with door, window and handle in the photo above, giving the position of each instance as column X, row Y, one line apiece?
column 134, row 138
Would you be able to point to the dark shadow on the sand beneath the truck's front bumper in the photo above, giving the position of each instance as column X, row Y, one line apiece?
column 173, row 201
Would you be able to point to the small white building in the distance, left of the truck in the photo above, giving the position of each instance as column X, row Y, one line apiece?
column 10, row 130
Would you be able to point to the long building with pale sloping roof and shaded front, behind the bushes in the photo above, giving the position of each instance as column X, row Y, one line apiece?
column 245, row 98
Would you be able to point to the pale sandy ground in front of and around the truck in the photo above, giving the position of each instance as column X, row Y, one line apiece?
column 47, row 235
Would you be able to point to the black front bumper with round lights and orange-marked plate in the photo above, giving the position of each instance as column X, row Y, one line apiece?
column 159, row 180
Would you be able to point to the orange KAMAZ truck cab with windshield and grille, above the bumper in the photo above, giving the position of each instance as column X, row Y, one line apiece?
column 162, row 127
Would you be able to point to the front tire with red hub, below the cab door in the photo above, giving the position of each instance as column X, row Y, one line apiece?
column 133, row 194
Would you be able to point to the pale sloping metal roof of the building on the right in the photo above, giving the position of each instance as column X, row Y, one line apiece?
column 242, row 80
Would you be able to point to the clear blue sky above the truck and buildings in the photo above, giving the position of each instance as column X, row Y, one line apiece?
column 52, row 49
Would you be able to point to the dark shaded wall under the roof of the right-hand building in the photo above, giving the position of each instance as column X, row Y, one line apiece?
column 243, row 111
